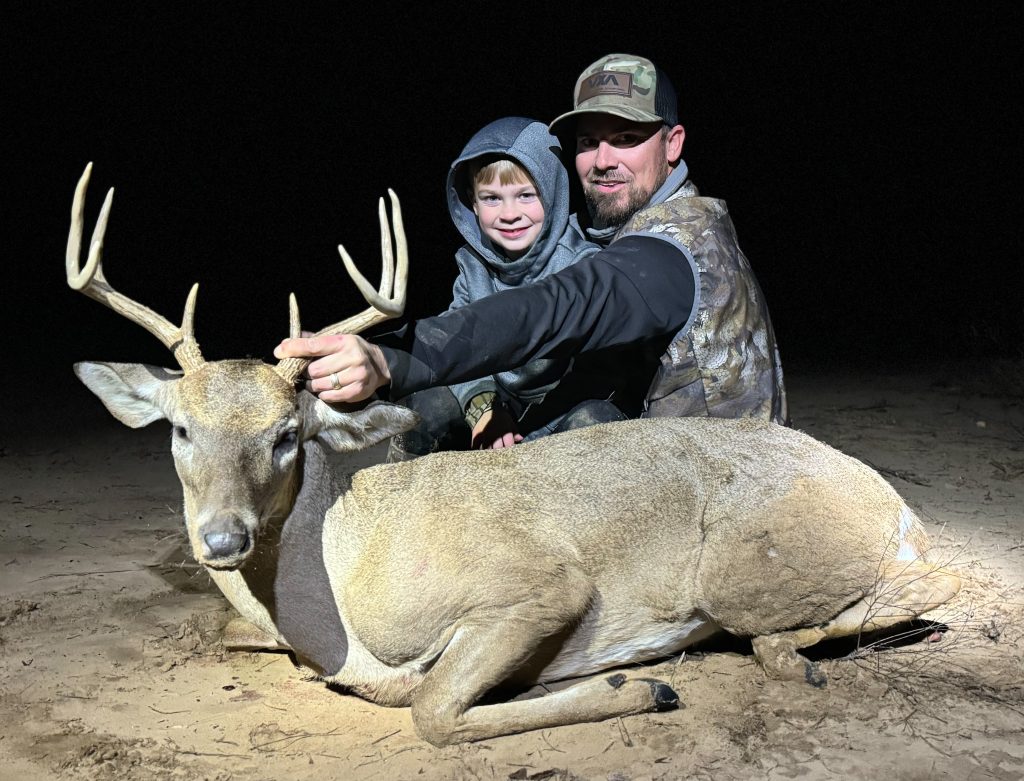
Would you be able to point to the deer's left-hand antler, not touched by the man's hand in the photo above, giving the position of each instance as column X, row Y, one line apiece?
column 92, row 282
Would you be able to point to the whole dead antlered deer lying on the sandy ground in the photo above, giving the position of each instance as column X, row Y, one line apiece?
column 431, row 583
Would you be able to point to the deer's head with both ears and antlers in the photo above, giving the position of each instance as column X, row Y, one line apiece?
column 239, row 427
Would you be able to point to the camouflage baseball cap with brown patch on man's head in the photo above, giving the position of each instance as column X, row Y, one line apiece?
column 624, row 85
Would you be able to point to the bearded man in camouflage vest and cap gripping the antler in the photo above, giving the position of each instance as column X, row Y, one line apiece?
column 668, row 320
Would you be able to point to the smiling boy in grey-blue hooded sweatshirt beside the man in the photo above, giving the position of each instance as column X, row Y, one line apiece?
column 509, row 197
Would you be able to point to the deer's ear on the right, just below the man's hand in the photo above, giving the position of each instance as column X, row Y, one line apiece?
column 352, row 427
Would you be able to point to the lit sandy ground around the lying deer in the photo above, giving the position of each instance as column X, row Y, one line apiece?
column 111, row 665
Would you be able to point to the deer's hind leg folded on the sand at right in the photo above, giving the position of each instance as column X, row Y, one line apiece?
column 904, row 591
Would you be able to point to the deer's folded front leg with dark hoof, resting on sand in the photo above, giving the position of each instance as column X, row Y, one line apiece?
column 480, row 658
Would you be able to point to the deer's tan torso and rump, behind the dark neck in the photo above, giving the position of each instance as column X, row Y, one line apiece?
column 694, row 526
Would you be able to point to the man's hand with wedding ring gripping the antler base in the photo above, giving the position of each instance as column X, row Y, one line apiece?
column 346, row 368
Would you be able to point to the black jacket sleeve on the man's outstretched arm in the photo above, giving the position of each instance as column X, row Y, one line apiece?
column 639, row 288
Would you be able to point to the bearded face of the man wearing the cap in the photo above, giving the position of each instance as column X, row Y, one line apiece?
column 622, row 164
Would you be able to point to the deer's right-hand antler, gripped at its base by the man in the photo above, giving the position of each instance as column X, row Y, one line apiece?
column 388, row 302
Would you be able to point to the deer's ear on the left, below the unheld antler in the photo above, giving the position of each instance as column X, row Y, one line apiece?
column 135, row 394
